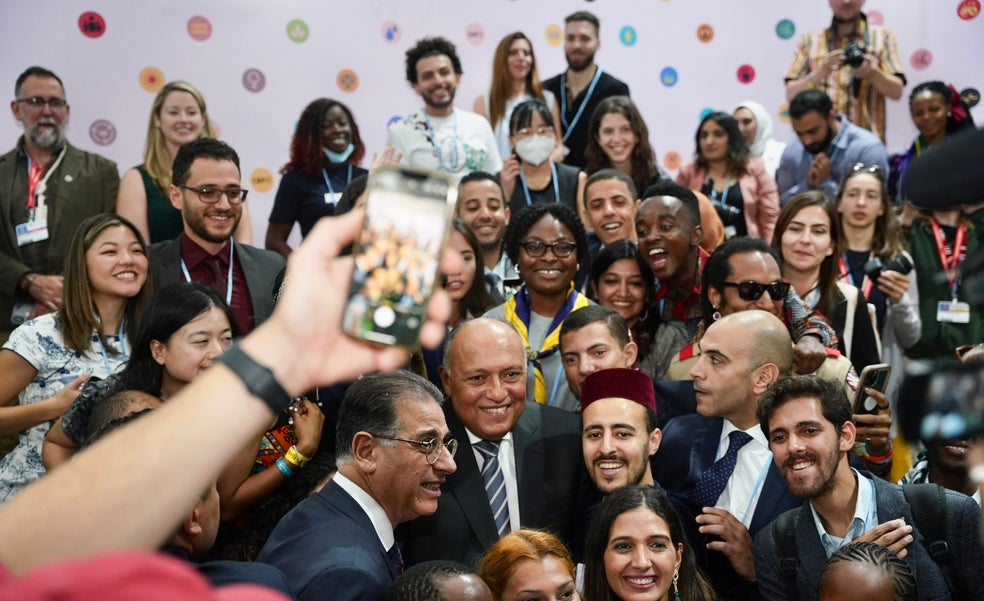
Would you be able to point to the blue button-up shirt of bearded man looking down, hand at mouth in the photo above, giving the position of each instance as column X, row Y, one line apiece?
column 851, row 145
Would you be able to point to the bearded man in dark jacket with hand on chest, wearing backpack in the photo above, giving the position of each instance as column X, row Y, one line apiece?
column 809, row 424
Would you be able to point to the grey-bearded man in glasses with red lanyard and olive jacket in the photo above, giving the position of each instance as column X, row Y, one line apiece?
column 47, row 187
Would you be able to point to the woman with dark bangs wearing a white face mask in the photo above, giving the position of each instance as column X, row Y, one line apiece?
column 529, row 175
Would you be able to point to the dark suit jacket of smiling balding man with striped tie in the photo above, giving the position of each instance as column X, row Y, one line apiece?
column 553, row 485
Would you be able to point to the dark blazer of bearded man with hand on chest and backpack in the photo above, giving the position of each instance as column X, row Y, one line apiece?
column 963, row 517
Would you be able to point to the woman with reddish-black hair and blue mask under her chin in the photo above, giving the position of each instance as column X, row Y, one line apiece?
column 325, row 152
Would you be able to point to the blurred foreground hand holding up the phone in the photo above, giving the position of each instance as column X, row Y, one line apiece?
column 303, row 342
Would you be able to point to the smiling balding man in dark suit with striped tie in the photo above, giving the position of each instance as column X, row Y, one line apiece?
column 521, row 458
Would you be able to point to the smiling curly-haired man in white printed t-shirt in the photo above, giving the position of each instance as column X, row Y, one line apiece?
column 442, row 136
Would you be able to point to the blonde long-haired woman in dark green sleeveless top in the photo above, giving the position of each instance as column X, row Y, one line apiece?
column 177, row 117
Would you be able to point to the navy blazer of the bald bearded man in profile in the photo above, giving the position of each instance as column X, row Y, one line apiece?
column 688, row 448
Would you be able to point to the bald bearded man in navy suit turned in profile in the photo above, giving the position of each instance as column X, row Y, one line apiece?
column 719, row 458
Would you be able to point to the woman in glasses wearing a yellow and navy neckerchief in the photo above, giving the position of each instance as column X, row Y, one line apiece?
column 545, row 241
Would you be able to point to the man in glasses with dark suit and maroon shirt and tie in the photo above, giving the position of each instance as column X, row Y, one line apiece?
column 207, row 189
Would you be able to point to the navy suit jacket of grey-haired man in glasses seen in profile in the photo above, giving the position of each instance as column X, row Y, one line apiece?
column 328, row 549
